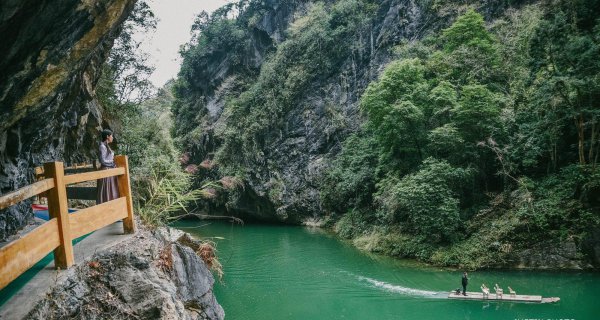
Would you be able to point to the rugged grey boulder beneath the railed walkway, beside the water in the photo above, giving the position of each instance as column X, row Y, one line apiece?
column 151, row 276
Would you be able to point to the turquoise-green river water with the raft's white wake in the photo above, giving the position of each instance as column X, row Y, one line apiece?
column 283, row 272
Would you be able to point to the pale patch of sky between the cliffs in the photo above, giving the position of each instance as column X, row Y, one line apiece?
column 173, row 30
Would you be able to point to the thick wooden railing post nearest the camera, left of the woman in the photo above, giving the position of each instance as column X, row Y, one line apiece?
column 58, row 208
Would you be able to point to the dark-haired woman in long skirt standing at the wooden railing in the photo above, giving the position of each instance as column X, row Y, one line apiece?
column 108, row 189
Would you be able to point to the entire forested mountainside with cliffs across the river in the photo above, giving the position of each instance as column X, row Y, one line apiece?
column 468, row 138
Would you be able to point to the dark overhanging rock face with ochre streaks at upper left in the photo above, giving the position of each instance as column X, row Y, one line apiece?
column 50, row 57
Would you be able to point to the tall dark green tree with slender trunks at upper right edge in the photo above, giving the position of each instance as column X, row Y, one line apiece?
column 565, row 64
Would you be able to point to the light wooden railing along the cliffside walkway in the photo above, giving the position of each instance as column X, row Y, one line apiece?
column 57, row 234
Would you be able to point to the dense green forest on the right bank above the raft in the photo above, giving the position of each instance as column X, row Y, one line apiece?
column 479, row 141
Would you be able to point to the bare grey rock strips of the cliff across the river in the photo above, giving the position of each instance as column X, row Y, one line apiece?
column 285, row 187
